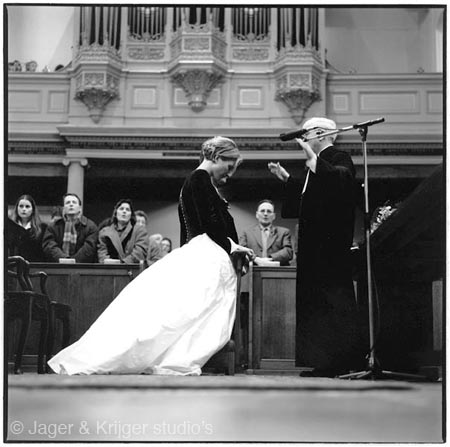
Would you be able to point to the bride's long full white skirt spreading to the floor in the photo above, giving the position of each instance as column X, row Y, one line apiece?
column 169, row 320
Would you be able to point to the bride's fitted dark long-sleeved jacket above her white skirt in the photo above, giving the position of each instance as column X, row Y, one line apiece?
column 202, row 210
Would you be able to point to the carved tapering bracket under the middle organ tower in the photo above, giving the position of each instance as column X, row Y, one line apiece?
column 197, row 85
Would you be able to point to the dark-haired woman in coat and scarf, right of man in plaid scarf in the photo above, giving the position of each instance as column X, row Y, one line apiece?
column 122, row 239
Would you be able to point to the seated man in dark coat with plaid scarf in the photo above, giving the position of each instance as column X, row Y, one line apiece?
column 72, row 235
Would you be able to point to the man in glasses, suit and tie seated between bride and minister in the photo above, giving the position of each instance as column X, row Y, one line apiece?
column 269, row 242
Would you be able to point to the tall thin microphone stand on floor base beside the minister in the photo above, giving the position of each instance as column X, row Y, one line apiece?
column 374, row 370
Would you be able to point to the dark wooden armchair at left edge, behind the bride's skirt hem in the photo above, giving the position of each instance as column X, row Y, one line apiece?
column 48, row 314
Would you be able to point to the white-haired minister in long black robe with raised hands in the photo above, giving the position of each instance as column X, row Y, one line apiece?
column 324, row 203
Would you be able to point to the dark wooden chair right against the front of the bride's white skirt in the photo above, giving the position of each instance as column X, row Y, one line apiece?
column 230, row 355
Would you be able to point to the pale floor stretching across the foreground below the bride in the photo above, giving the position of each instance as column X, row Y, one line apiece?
column 241, row 408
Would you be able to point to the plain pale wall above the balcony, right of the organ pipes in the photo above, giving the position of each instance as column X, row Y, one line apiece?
column 380, row 40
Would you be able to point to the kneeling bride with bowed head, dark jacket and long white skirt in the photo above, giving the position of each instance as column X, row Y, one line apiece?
column 180, row 311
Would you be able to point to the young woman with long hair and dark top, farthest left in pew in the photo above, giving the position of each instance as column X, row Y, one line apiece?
column 25, row 230
